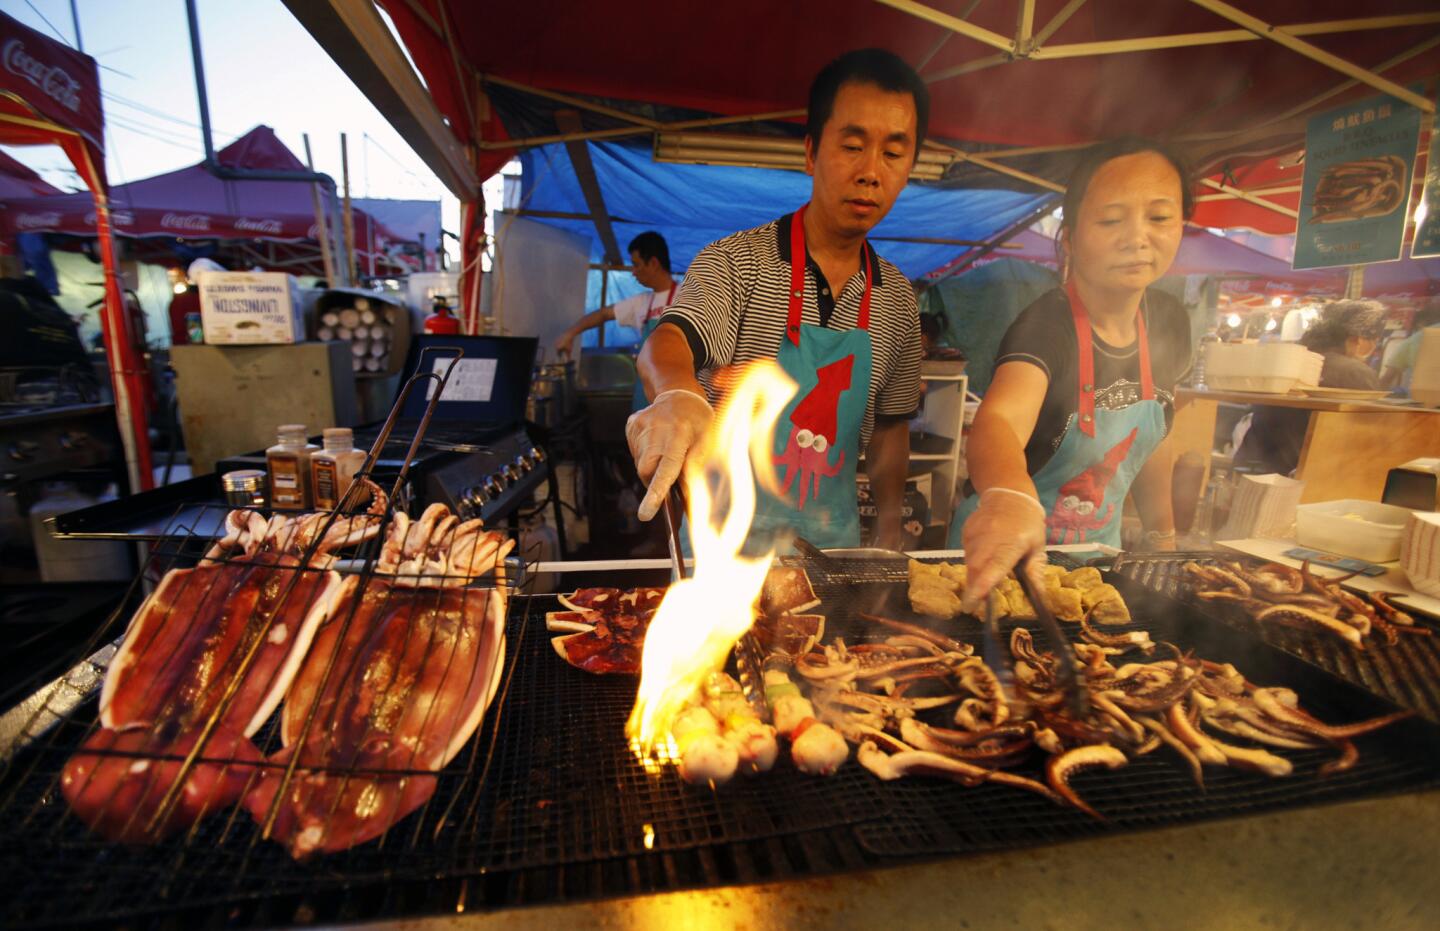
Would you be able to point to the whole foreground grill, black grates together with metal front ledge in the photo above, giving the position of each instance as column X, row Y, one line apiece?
column 549, row 811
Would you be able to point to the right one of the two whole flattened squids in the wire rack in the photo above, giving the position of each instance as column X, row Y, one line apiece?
column 395, row 684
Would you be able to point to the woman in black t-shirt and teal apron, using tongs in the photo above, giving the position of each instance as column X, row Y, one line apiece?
column 1082, row 398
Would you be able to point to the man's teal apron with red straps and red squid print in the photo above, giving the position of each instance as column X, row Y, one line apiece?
column 817, row 438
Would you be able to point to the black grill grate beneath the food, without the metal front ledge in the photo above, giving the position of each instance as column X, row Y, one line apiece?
column 549, row 805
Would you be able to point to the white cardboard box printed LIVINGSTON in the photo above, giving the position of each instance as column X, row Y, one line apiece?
column 251, row 309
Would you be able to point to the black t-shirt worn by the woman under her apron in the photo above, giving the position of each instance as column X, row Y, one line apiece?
column 1045, row 337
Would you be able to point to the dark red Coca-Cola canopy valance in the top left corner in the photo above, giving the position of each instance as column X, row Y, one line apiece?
column 54, row 81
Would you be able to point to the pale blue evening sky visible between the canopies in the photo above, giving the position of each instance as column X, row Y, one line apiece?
column 261, row 68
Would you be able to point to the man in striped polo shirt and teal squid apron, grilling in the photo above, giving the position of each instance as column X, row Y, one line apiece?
column 810, row 293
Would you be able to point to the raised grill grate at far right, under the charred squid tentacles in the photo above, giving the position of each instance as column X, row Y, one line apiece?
column 1406, row 674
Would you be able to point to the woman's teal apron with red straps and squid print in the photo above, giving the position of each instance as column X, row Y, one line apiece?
column 1084, row 486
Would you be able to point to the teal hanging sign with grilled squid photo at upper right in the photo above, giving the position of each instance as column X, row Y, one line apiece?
column 1359, row 163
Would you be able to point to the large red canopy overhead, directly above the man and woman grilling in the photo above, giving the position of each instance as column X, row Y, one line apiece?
column 1016, row 87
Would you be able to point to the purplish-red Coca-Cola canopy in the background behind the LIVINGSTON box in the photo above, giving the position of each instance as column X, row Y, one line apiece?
column 194, row 204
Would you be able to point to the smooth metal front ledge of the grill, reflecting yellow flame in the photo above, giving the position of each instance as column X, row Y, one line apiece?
column 1354, row 866
